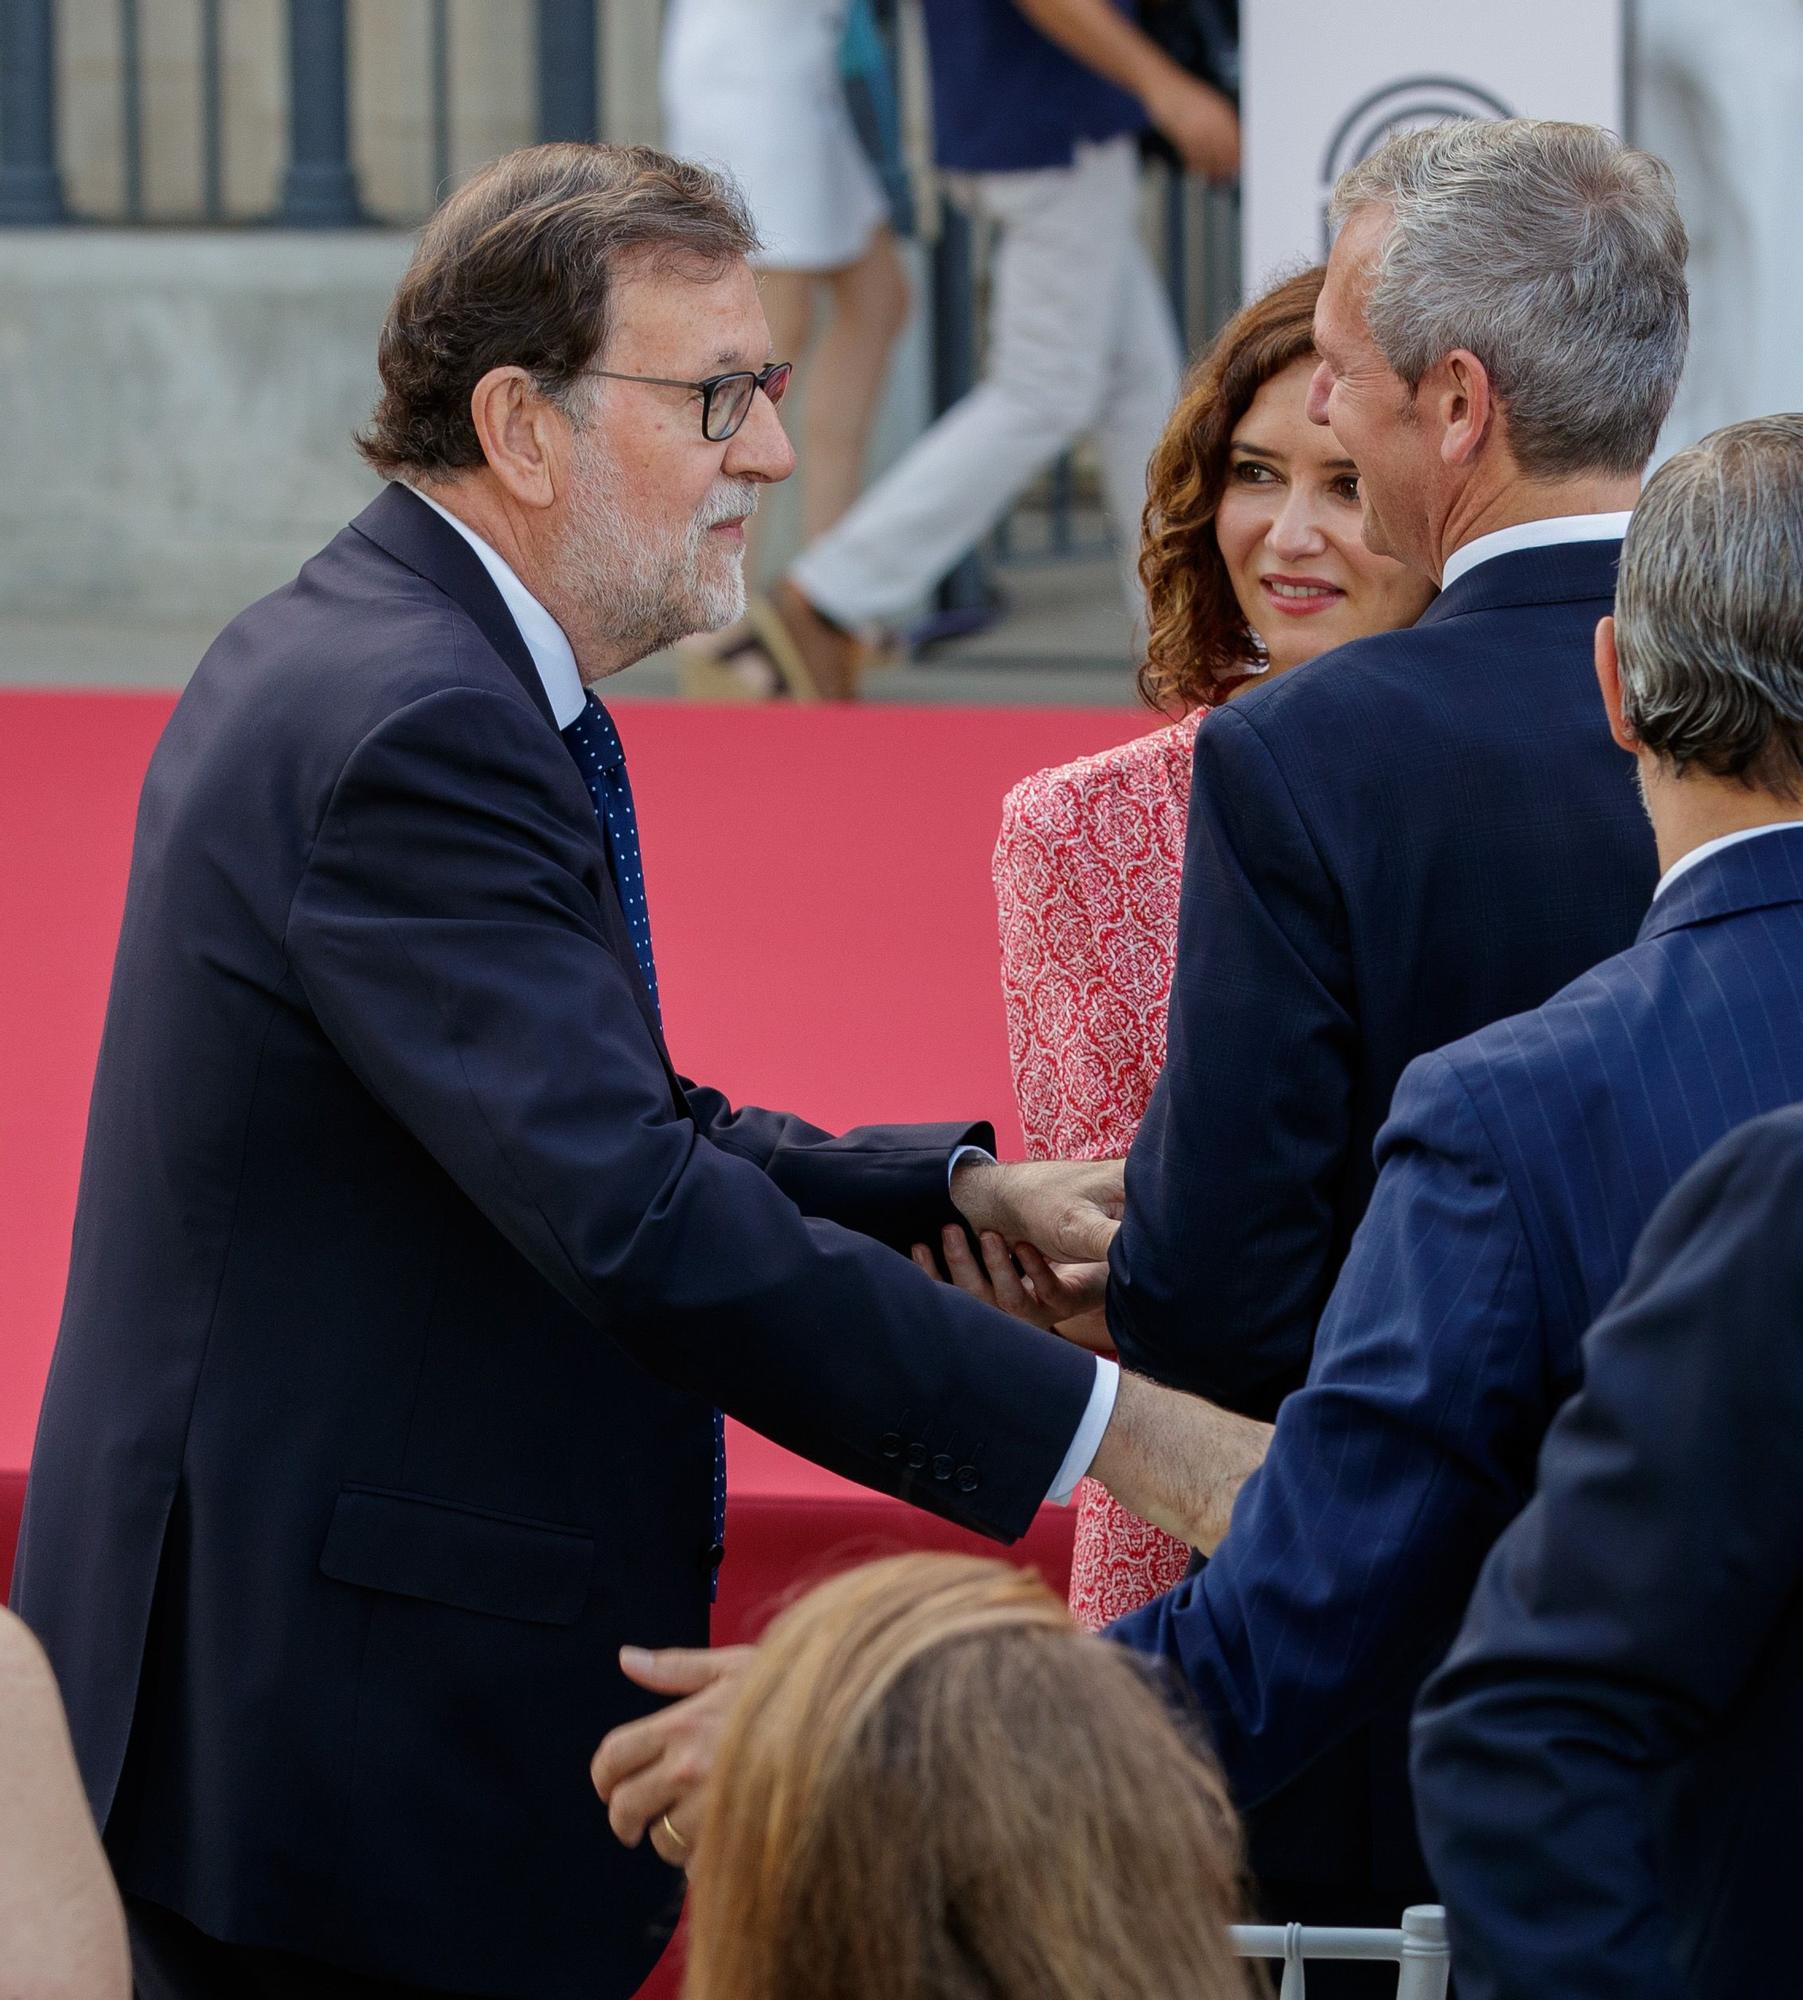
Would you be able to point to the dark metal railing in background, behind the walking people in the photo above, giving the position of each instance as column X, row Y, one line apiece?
column 313, row 123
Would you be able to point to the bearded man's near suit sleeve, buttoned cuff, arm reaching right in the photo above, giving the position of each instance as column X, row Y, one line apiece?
column 447, row 935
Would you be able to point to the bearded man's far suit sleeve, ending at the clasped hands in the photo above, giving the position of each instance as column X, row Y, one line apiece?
column 891, row 1183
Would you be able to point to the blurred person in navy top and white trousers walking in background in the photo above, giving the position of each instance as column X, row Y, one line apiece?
column 1038, row 107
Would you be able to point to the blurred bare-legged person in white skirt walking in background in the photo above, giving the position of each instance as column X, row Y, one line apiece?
column 757, row 87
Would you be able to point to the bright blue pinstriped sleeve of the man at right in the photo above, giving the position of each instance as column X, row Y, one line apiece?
column 1390, row 1473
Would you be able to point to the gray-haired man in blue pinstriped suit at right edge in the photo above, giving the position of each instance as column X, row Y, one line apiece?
column 1520, row 1165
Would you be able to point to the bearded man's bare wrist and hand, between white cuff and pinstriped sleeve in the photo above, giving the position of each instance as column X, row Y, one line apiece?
column 1178, row 1461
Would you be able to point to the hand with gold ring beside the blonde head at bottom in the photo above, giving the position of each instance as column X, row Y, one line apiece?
column 657, row 1769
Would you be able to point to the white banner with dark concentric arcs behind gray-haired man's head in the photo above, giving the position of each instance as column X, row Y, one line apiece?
column 1328, row 81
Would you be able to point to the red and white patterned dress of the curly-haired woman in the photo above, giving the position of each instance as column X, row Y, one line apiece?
column 1086, row 879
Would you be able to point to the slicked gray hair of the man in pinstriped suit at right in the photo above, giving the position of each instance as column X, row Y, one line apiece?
column 1710, row 607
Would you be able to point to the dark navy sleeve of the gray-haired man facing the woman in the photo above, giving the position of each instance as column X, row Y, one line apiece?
column 1224, row 1261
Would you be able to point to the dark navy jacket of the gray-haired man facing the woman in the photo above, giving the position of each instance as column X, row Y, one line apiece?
column 1388, row 849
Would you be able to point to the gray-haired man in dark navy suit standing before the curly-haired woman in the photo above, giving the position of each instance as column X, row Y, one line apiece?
column 1420, row 833
